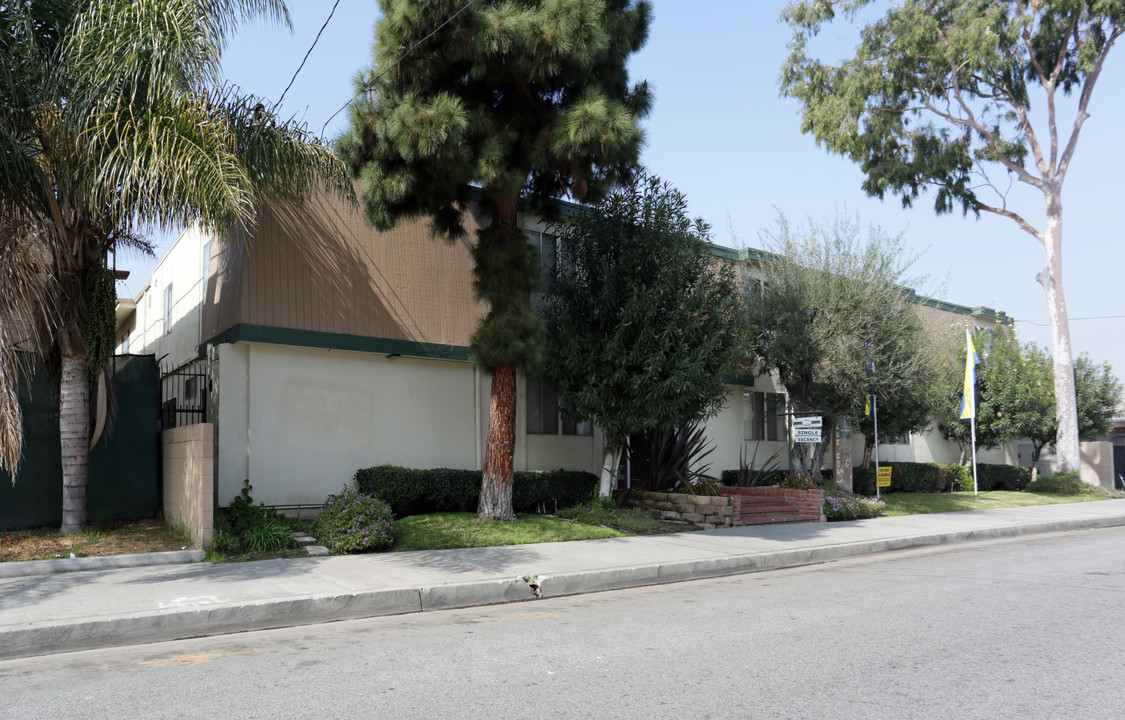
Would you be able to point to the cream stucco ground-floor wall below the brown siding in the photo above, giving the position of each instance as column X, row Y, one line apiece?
column 299, row 422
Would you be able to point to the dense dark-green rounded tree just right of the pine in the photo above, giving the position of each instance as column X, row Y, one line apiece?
column 644, row 323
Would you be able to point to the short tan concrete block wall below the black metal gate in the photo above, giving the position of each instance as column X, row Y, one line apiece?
column 190, row 480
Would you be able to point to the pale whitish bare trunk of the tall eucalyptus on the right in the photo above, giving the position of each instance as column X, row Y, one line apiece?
column 1063, row 357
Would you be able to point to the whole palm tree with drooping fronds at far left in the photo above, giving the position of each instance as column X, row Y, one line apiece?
column 115, row 123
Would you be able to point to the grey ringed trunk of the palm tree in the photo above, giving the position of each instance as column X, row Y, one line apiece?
column 74, row 428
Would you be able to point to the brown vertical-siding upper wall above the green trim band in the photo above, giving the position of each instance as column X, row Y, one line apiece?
column 319, row 266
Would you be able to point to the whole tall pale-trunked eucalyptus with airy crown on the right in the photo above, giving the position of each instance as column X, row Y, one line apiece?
column 940, row 96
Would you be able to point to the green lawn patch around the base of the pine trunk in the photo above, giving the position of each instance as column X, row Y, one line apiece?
column 463, row 530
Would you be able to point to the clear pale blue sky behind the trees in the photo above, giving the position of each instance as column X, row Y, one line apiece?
column 721, row 132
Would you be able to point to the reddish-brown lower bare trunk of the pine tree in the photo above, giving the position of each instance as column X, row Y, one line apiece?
column 497, row 481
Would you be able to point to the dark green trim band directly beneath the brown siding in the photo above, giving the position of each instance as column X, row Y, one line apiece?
column 336, row 341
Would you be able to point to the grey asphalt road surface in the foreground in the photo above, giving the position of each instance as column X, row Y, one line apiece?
column 1029, row 628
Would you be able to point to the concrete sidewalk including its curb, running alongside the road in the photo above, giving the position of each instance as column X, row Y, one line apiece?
column 78, row 611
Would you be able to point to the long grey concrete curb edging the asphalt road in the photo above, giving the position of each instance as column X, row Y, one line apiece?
column 157, row 626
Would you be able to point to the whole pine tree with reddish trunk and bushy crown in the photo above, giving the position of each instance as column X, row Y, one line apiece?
column 510, row 100
